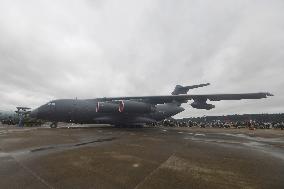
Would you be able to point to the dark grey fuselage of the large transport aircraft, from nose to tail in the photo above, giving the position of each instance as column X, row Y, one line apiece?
column 85, row 112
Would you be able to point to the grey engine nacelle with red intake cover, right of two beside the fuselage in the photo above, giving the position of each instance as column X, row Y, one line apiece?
column 128, row 106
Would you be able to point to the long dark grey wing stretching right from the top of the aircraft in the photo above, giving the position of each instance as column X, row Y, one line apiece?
column 184, row 98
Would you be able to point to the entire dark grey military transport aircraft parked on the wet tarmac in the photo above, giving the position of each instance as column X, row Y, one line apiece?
column 130, row 111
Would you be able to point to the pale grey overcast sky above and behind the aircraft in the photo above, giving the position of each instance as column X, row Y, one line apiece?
column 74, row 48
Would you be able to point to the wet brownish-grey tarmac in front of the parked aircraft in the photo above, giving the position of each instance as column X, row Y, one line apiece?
column 136, row 158
